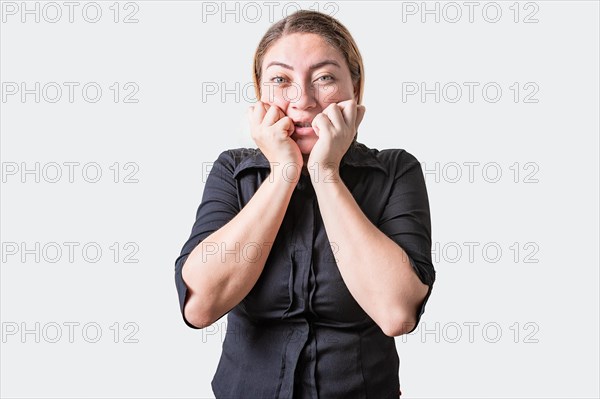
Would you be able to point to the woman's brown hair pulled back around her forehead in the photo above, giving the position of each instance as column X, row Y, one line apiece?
column 330, row 29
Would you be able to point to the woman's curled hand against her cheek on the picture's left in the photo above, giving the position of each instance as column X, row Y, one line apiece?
column 271, row 130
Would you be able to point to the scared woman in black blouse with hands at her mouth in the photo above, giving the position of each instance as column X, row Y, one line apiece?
column 317, row 247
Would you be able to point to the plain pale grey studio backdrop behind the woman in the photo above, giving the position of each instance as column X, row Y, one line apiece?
column 112, row 114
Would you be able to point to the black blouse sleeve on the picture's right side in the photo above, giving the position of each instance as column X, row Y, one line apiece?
column 406, row 218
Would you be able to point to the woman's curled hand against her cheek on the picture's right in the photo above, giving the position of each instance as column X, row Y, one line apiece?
column 336, row 127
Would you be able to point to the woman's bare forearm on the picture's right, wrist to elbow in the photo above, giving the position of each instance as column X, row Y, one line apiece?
column 375, row 269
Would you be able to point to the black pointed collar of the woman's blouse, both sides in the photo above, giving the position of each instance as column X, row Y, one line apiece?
column 358, row 156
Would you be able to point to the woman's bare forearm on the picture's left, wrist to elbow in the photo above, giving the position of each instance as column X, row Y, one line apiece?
column 225, row 266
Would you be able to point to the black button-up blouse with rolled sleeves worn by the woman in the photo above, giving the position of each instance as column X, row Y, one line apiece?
column 299, row 333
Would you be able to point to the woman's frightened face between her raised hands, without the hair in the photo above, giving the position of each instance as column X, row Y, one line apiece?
column 302, row 75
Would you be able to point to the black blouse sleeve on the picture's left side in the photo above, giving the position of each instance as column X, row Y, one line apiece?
column 218, row 206
